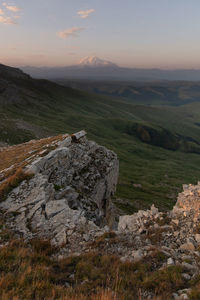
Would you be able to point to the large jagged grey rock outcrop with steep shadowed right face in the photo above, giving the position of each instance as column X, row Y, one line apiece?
column 70, row 192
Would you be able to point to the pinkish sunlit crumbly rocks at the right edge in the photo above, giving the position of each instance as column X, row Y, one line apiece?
column 175, row 235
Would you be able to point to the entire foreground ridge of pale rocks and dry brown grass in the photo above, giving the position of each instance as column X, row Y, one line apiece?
column 61, row 237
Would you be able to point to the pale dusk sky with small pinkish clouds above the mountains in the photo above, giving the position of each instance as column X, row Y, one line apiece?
column 131, row 33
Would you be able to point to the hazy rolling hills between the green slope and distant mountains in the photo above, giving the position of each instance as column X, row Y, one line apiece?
column 172, row 93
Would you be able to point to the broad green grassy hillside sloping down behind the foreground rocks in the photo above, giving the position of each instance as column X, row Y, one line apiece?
column 158, row 147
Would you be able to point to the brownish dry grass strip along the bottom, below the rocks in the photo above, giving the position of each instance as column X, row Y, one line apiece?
column 27, row 271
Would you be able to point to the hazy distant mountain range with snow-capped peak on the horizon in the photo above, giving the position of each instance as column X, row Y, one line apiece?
column 94, row 68
